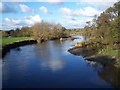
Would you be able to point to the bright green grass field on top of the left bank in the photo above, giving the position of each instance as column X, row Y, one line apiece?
column 6, row 41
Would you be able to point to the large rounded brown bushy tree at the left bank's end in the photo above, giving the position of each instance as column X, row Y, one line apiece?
column 44, row 31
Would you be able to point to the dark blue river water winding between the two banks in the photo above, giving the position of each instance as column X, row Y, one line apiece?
column 50, row 65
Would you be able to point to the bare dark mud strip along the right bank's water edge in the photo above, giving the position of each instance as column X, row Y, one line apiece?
column 92, row 55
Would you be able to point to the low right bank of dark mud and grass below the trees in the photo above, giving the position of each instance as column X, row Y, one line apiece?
column 105, row 56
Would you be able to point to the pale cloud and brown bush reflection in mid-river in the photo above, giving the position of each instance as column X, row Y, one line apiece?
column 51, row 57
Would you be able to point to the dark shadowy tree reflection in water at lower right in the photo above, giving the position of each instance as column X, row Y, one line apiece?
column 108, row 73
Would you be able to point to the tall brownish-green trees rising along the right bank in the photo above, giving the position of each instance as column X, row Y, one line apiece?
column 103, row 30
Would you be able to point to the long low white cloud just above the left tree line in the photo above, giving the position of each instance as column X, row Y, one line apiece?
column 11, row 23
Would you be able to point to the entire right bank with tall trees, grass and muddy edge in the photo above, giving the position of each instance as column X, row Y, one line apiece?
column 102, row 42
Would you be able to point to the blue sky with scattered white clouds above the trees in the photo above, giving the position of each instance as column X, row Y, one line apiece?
column 69, row 13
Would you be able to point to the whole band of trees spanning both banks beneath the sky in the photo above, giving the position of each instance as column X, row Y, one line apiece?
column 103, row 29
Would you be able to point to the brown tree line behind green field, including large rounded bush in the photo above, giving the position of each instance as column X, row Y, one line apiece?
column 39, row 31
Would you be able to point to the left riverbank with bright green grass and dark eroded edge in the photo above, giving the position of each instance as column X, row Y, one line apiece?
column 9, row 43
